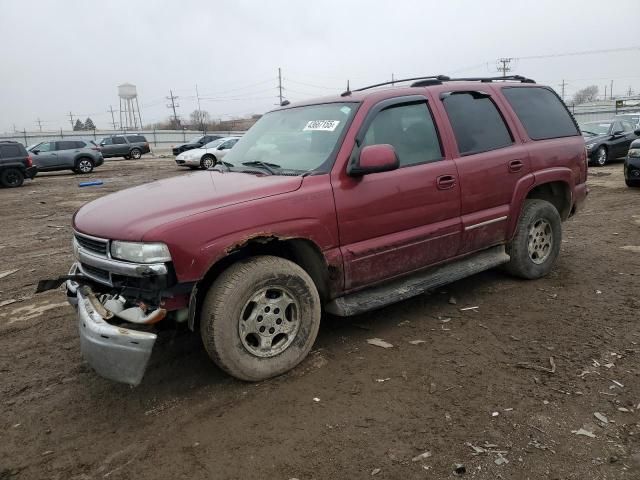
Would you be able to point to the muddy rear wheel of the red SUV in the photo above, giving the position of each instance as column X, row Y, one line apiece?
column 536, row 244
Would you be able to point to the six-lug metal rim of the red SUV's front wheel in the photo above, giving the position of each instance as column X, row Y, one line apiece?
column 269, row 322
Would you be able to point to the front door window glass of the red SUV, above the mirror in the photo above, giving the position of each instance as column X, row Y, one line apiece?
column 410, row 129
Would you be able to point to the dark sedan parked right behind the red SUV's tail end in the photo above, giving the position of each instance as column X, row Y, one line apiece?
column 608, row 140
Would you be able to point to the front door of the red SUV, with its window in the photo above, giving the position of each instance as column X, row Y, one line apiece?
column 391, row 223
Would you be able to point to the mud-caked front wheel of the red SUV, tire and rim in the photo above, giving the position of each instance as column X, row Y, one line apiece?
column 224, row 321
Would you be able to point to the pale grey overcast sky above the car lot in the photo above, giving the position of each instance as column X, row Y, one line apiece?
column 64, row 56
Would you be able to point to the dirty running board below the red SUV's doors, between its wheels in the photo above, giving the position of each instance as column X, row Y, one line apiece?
column 416, row 283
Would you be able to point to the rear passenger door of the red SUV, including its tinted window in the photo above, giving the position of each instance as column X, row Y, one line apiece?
column 490, row 163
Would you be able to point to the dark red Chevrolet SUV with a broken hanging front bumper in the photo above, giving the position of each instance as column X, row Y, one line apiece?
column 342, row 204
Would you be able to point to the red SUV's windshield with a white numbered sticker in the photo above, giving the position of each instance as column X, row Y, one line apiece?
column 299, row 139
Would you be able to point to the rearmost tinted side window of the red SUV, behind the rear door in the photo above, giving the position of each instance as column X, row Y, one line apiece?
column 541, row 112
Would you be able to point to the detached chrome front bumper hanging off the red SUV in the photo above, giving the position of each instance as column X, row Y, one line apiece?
column 114, row 352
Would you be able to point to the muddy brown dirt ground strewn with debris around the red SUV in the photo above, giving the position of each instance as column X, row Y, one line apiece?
column 351, row 410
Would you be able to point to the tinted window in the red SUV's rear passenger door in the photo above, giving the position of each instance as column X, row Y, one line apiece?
column 476, row 122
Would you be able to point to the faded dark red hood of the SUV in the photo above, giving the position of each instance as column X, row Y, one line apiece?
column 129, row 214
